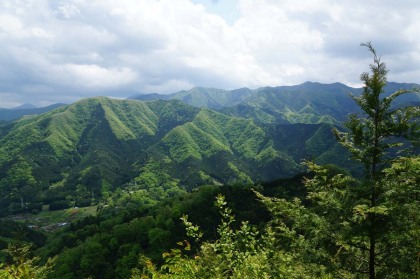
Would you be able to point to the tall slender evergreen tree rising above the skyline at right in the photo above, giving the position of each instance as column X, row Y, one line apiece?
column 370, row 138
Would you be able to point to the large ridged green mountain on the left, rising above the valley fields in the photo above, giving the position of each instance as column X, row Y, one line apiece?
column 87, row 147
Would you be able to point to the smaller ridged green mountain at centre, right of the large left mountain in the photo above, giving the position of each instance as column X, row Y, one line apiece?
column 227, row 149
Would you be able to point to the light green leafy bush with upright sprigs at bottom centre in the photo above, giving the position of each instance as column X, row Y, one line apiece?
column 244, row 252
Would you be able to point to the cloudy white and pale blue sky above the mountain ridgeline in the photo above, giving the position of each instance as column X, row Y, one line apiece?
column 60, row 51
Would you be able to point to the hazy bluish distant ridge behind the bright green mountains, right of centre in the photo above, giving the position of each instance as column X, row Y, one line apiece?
column 309, row 102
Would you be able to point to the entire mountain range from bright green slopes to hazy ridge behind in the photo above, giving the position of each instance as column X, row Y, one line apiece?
column 186, row 139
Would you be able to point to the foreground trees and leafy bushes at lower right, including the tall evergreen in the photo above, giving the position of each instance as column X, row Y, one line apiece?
column 347, row 227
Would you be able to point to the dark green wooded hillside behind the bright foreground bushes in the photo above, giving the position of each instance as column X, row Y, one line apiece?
column 131, row 223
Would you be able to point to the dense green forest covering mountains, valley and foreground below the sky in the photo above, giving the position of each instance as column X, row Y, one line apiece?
column 186, row 191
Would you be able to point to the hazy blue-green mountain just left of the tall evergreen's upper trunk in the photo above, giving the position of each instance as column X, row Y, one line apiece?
column 309, row 103
